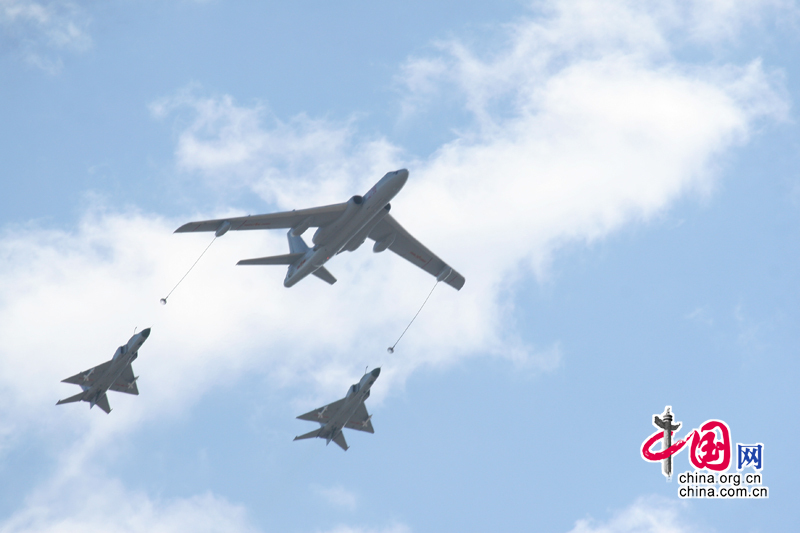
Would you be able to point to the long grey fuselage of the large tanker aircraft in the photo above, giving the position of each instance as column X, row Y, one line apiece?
column 333, row 240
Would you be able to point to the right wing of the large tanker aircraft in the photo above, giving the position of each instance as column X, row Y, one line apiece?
column 410, row 249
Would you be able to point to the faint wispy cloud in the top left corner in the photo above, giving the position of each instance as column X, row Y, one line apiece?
column 40, row 30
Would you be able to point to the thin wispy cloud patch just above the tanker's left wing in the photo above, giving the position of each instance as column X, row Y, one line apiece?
column 289, row 163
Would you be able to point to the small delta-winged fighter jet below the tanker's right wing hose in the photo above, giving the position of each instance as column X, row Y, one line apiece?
column 349, row 412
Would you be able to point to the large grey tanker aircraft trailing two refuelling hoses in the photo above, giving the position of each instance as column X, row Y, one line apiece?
column 341, row 227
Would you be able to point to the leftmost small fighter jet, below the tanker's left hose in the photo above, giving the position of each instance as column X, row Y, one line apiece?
column 116, row 375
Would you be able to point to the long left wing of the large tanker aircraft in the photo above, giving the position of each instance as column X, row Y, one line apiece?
column 319, row 216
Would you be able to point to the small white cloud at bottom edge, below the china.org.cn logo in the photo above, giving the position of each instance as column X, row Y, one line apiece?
column 646, row 515
